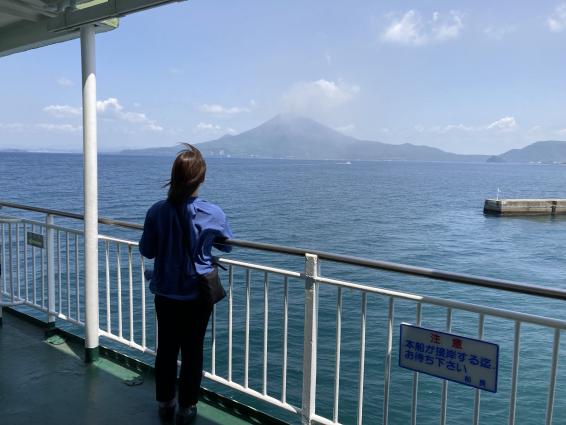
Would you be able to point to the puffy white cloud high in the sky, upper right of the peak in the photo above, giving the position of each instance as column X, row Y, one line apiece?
column 411, row 29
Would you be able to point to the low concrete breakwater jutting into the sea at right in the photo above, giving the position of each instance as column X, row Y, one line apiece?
column 524, row 206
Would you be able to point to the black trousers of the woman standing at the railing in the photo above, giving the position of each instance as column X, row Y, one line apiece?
column 181, row 325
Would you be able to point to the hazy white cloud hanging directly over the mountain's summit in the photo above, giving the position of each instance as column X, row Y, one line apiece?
column 306, row 97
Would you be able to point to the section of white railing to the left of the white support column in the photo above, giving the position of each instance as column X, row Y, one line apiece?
column 45, row 276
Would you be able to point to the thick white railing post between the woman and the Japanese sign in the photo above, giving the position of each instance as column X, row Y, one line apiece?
column 310, row 340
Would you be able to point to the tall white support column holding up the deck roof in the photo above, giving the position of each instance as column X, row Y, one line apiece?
column 90, row 192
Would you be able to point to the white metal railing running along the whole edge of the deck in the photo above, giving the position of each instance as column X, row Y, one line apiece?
column 243, row 355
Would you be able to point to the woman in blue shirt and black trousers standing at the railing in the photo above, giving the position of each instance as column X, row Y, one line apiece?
column 179, row 234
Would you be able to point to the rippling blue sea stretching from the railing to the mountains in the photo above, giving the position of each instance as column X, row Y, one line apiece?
column 427, row 214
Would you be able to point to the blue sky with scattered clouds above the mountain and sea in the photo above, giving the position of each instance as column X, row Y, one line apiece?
column 466, row 77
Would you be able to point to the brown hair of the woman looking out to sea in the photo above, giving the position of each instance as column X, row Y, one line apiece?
column 187, row 174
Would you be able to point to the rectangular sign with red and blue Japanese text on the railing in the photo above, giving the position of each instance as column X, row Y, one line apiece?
column 460, row 359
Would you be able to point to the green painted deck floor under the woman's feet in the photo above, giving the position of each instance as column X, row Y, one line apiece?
column 42, row 383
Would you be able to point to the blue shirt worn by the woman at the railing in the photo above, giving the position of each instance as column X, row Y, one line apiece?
column 162, row 240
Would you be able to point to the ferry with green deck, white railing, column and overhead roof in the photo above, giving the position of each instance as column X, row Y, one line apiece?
column 82, row 291
